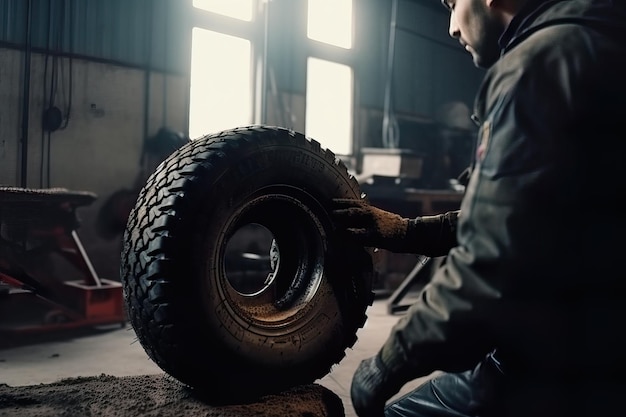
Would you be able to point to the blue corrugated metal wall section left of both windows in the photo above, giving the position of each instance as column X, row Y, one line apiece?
column 141, row 33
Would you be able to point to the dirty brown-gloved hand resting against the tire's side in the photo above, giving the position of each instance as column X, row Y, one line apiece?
column 368, row 225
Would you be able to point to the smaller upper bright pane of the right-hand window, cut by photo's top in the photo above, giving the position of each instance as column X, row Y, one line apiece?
column 330, row 21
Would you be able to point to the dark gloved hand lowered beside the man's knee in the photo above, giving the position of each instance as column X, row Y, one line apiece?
column 371, row 387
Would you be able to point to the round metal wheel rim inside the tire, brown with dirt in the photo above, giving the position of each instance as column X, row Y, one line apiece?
column 300, row 235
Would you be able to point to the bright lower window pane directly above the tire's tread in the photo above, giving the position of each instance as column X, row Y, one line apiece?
column 221, row 83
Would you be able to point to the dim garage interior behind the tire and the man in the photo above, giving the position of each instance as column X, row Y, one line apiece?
column 96, row 94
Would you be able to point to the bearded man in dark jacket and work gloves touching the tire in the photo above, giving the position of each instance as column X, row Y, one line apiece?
column 526, row 316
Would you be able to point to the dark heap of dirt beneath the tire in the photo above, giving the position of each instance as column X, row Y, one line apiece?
column 153, row 396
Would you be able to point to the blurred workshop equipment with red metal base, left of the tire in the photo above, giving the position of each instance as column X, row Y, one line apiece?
column 50, row 282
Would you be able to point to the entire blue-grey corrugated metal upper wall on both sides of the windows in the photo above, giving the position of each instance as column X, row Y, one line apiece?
column 429, row 67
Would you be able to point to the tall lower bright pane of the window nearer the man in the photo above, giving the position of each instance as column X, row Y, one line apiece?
column 329, row 105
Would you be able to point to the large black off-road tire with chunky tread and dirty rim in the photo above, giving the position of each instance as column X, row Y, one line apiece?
column 191, row 318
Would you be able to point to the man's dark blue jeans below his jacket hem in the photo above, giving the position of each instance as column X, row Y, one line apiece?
column 486, row 391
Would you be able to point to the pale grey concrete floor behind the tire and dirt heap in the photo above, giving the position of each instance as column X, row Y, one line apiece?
column 113, row 350
